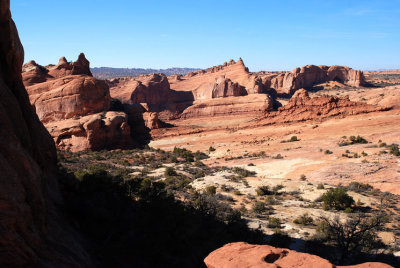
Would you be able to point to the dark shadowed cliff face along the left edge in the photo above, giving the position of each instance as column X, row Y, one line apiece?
column 33, row 233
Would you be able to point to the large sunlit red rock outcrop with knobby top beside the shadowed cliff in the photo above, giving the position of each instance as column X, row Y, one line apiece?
column 73, row 106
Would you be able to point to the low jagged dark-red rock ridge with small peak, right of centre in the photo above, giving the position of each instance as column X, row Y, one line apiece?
column 302, row 107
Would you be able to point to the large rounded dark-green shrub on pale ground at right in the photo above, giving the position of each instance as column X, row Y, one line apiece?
column 337, row 198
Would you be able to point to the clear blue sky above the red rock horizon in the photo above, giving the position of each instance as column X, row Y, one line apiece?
column 268, row 35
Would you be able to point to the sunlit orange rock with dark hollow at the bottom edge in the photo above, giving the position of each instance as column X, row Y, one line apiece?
column 243, row 255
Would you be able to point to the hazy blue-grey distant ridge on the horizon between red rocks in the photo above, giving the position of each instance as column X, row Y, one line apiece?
column 108, row 72
